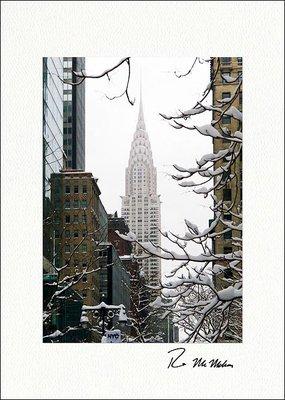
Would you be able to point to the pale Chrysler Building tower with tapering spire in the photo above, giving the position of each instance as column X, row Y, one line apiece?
column 141, row 204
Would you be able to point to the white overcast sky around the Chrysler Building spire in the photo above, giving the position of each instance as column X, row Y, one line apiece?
column 110, row 126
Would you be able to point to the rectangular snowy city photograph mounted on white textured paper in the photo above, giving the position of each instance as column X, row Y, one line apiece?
column 142, row 200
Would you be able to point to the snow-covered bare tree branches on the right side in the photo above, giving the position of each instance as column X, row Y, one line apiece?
column 204, row 291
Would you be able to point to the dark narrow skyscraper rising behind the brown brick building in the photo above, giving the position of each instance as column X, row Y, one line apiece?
column 74, row 114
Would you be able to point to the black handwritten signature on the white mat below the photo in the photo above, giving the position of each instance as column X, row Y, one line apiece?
column 178, row 355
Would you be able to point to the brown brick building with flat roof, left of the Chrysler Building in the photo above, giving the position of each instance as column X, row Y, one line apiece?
column 76, row 229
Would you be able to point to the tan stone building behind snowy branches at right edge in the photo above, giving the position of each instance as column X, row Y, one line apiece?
column 228, row 84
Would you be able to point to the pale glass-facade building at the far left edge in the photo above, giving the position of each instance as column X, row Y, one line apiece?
column 53, row 154
